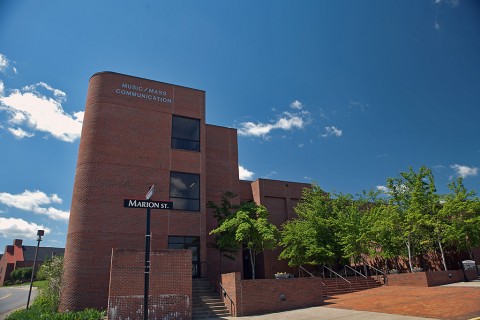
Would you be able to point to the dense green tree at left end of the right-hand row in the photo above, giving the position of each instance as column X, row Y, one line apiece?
column 312, row 237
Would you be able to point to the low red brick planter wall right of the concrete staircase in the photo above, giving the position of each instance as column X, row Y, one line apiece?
column 262, row 296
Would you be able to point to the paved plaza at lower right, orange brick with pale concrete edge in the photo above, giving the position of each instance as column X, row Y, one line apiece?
column 460, row 301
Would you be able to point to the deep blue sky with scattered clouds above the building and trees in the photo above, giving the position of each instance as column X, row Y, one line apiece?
column 342, row 93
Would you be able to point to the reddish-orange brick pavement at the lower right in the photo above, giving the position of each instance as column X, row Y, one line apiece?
column 445, row 302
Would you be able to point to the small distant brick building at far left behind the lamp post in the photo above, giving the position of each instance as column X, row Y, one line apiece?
column 19, row 256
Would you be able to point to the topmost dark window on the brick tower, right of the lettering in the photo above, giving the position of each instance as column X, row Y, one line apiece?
column 185, row 133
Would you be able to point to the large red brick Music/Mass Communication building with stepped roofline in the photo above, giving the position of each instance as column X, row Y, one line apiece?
column 137, row 132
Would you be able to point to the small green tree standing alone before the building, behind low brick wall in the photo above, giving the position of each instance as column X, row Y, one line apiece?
column 251, row 228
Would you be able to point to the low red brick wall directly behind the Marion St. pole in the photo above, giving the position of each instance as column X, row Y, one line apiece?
column 170, row 291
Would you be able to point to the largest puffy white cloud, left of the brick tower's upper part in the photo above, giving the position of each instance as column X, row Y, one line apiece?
column 42, row 111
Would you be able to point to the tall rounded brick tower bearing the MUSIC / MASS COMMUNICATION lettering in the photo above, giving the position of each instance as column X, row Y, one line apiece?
column 126, row 146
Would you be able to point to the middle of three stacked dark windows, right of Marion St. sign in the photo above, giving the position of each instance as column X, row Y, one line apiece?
column 185, row 191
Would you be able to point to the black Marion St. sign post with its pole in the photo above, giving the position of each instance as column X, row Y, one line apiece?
column 148, row 204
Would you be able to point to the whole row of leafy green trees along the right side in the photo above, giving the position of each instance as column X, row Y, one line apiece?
column 410, row 219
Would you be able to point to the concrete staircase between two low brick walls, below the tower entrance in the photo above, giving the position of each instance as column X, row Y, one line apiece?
column 206, row 301
